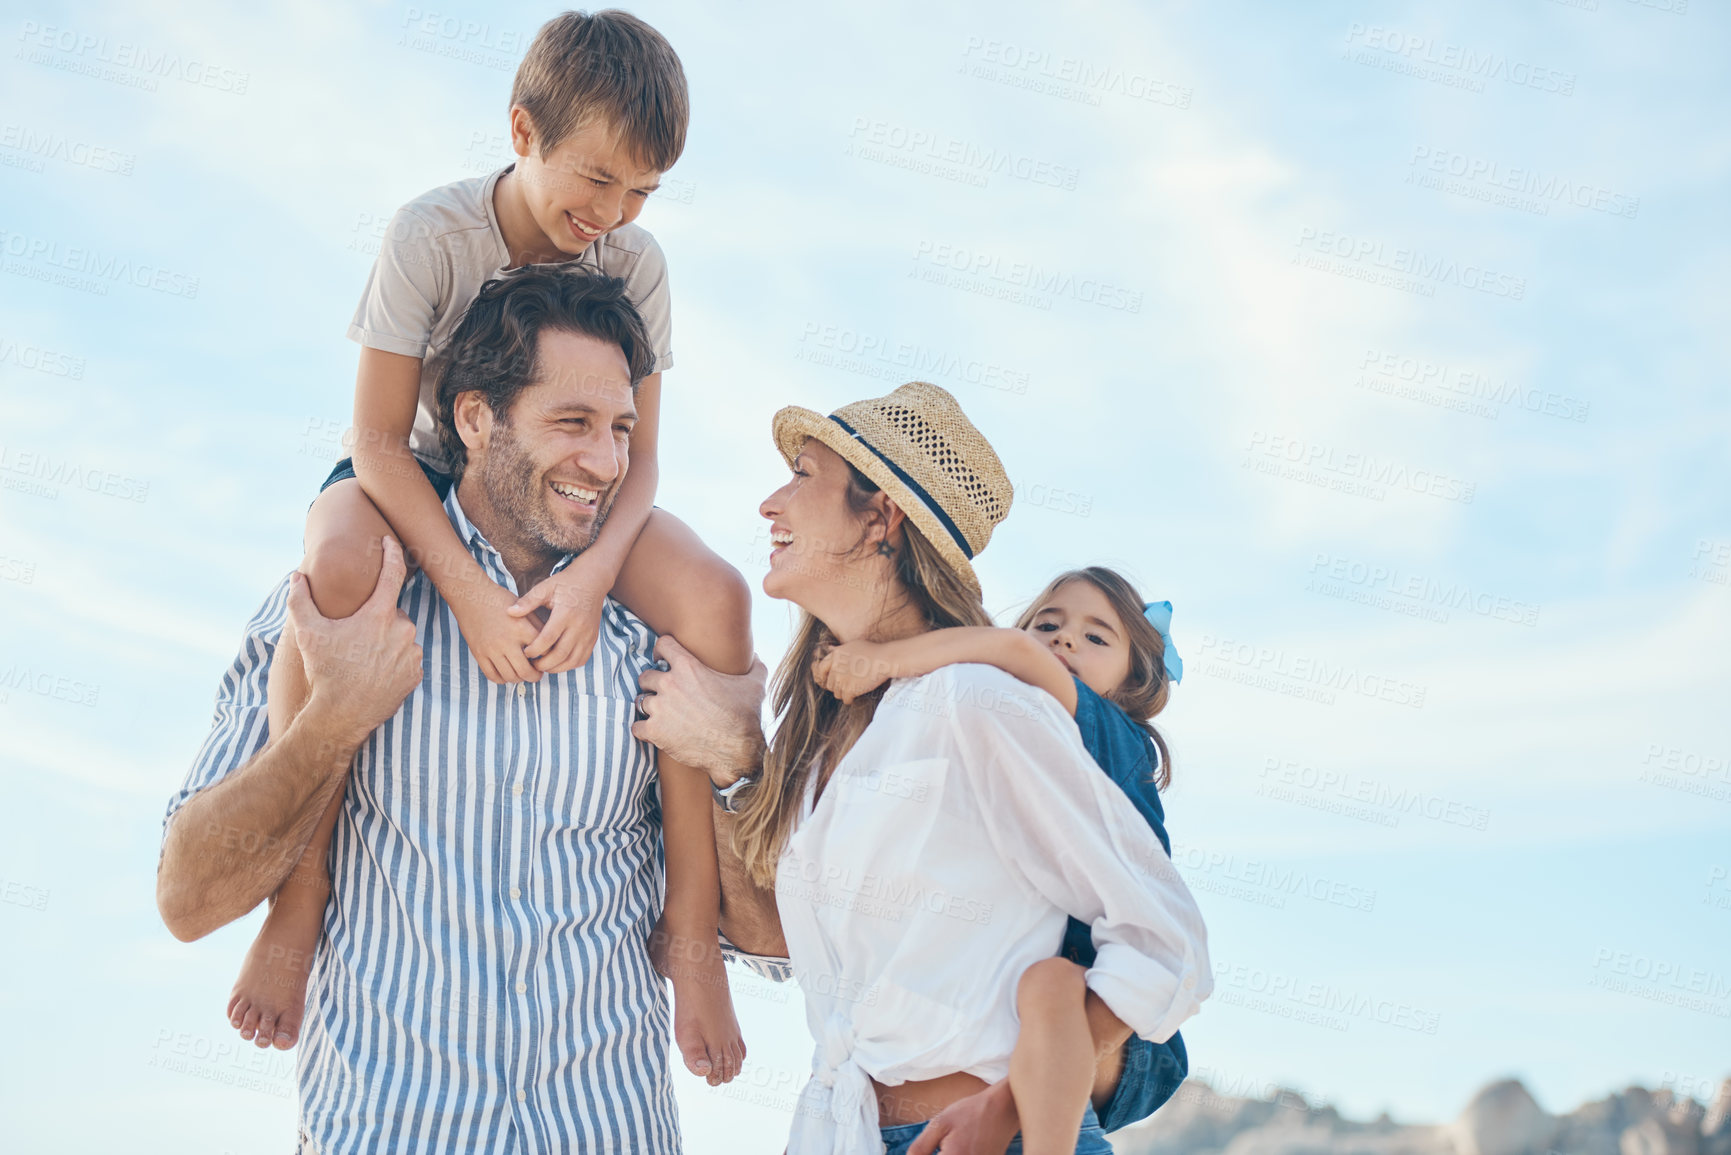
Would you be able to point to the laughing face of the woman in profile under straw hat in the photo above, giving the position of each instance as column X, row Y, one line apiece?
column 814, row 536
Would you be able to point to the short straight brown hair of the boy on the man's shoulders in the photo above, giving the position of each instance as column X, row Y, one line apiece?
column 610, row 68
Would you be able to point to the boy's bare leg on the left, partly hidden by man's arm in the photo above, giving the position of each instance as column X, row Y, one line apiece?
column 269, row 998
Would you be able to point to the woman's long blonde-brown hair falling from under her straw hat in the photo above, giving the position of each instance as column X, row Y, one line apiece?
column 813, row 728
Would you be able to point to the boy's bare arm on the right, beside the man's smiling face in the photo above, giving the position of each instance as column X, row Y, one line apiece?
column 574, row 597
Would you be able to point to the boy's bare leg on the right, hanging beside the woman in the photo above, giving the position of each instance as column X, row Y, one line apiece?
column 681, row 588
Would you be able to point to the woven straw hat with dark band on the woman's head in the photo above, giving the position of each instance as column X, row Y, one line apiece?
column 917, row 446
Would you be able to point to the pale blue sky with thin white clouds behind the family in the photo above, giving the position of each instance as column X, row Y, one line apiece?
column 1386, row 340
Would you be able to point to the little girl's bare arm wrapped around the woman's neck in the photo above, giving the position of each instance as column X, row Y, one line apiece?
column 861, row 668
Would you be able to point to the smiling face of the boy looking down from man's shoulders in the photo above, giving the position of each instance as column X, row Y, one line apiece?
column 588, row 186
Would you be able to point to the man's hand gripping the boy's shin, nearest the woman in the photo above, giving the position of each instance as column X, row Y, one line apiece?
column 700, row 718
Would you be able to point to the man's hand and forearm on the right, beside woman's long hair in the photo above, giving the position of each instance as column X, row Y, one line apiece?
column 712, row 723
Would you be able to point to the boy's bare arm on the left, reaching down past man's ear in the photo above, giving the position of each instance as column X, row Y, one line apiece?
column 387, row 390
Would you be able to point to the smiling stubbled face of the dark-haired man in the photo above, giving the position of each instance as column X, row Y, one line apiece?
column 555, row 465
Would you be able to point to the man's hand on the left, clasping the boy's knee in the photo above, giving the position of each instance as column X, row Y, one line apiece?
column 359, row 669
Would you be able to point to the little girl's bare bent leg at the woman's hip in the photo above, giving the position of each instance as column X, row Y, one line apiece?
column 1052, row 1071
